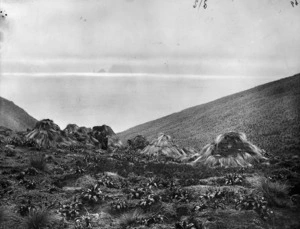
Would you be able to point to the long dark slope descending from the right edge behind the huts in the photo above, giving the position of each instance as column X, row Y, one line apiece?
column 268, row 114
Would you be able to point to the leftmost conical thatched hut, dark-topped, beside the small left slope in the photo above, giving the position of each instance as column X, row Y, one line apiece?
column 46, row 133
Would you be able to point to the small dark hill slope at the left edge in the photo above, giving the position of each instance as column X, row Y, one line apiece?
column 14, row 117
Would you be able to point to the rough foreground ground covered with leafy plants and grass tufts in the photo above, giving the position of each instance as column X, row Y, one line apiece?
column 78, row 187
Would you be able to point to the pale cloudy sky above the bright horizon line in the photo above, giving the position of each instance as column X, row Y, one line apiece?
column 239, row 37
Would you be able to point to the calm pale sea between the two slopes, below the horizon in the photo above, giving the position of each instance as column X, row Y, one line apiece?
column 118, row 100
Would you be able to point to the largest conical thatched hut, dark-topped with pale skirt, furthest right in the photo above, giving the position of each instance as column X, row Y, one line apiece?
column 231, row 149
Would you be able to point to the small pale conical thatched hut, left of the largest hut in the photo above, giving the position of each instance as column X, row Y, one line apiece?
column 163, row 146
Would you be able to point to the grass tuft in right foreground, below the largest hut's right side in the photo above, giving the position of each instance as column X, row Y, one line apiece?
column 275, row 192
